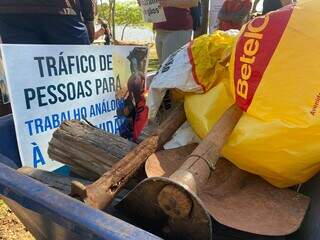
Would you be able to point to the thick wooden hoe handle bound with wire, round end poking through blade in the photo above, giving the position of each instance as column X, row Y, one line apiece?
column 197, row 168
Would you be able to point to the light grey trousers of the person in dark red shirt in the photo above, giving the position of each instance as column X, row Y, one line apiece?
column 175, row 40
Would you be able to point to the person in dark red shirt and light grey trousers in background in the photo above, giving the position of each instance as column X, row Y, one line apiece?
column 177, row 30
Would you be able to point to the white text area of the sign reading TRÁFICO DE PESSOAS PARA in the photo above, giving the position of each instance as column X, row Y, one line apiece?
column 49, row 84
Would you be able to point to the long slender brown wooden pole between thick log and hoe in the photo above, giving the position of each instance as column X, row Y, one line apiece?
column 100, row 193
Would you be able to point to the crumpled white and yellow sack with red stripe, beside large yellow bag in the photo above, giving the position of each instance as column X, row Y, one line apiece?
column 195, row 67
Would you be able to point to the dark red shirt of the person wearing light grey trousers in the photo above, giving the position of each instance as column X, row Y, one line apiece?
column 177, row 19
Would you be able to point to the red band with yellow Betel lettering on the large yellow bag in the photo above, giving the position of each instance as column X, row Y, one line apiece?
column 254, row 50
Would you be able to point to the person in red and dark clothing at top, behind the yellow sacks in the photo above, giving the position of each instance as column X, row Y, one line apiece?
column 233, row 14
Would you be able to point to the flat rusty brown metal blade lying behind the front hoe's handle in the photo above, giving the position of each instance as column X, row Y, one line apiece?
column 241, row 200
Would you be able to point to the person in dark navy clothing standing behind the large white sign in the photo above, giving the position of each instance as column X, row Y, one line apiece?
column 47, row 22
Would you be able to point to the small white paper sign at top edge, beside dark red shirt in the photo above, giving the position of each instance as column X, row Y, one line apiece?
column 152, row 11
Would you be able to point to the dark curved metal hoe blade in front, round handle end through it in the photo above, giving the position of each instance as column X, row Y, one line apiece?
column 142, row 202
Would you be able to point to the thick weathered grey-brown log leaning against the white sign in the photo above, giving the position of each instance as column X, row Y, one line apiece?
column 88, row 150
